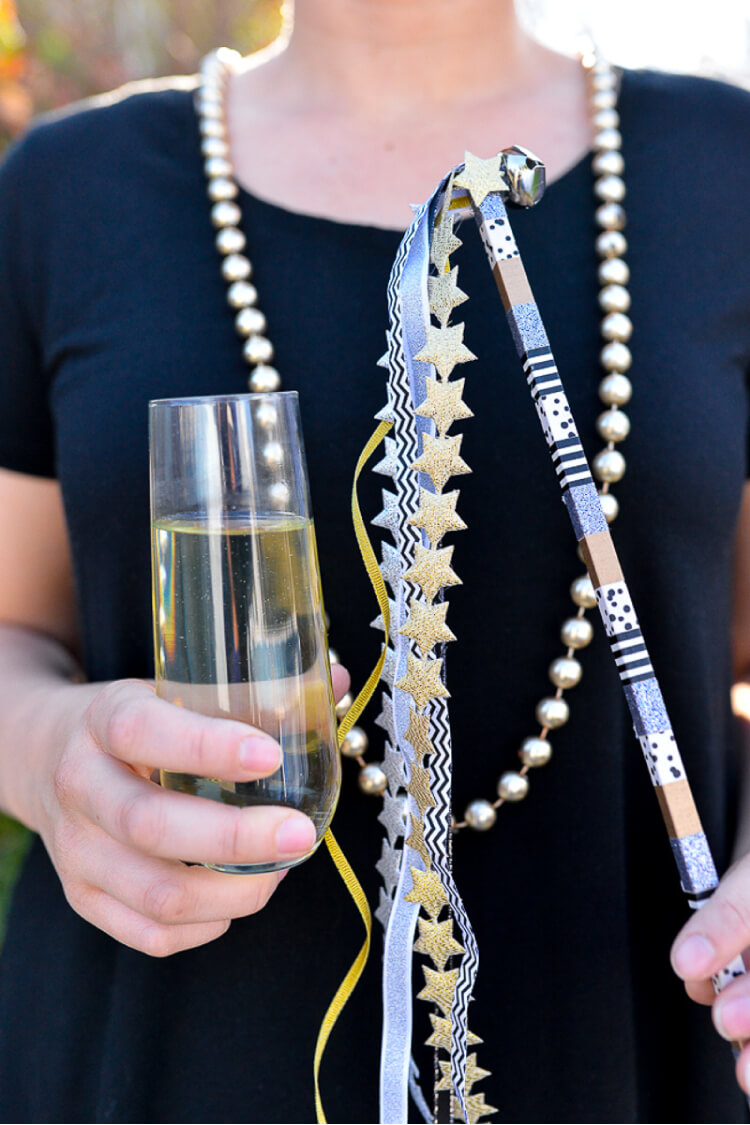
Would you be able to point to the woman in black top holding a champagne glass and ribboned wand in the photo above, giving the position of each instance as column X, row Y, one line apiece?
column 112, row 296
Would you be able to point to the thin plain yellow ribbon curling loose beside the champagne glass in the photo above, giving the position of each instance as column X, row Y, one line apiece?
column 344, row 868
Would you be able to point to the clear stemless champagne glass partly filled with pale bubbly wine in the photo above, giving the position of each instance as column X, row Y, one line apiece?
column 239, row 622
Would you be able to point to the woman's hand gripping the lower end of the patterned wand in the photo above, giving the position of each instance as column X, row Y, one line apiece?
column 707, row 944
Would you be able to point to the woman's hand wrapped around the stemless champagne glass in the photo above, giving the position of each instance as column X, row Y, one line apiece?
column 118, row 839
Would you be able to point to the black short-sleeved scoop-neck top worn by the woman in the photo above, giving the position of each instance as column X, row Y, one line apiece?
column 112, row 295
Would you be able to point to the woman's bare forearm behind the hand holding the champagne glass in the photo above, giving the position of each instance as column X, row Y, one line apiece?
column 39, row 701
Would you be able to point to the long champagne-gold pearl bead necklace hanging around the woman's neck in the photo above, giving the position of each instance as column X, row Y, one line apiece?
column 616, row 390
